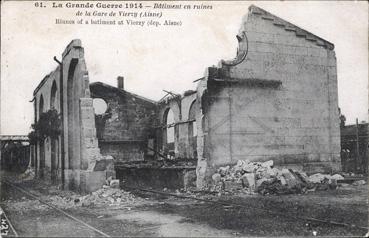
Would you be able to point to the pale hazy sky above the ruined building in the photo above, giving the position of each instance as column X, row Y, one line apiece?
column 169, row 58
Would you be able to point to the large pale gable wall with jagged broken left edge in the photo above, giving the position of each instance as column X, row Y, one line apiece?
column 297, row 123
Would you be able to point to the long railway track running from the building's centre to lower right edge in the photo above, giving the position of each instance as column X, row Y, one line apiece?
column 232, row 204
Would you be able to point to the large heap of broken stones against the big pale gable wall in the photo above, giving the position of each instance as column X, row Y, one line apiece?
column 263, row 178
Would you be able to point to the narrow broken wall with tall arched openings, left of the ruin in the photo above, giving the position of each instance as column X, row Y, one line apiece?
column 71, row 159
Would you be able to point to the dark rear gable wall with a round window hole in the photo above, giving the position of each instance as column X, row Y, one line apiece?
column 123, row 131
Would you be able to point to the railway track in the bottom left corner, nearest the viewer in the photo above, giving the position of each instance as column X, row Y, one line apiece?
column 64, row 213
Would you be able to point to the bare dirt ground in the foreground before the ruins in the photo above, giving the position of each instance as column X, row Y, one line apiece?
column 158, row 215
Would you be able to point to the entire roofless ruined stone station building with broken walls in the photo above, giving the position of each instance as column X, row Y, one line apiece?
column 276, row 100
